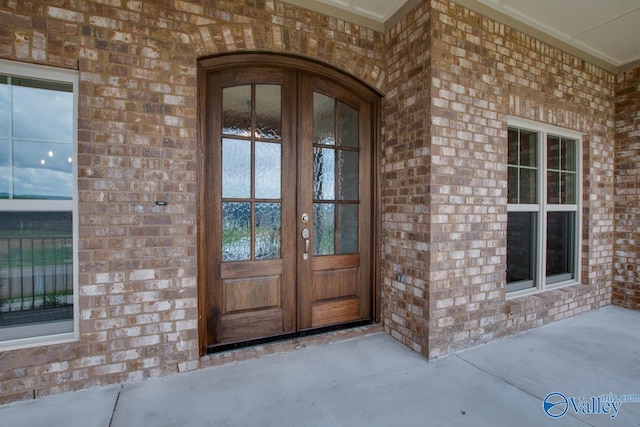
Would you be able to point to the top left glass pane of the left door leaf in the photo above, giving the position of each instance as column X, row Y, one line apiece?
column 236, row 110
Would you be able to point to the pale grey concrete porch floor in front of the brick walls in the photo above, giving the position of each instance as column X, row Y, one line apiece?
column 374, row 381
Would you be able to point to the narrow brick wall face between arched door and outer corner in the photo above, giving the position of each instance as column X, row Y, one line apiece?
column 406, row 163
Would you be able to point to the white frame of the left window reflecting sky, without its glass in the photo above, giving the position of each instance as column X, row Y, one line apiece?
column 50, row 333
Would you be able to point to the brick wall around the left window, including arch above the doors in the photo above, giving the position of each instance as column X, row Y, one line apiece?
column 137, row 144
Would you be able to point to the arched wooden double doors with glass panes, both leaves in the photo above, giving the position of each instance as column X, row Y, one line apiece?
column 285, row 206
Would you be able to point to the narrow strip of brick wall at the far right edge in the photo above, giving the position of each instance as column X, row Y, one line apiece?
column 626, row 286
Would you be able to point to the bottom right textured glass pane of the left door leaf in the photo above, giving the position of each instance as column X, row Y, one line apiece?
column 268, row 226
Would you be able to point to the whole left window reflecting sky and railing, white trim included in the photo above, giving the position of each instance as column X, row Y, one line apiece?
column 38, row 262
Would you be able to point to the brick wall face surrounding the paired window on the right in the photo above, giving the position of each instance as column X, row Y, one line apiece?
column 485, row 72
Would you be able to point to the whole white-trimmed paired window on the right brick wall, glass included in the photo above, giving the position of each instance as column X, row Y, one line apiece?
column 543, row 221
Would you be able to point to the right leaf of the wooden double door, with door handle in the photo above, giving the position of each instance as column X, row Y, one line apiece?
column 334, row 280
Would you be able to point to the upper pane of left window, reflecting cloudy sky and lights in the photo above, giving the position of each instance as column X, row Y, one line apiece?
column 36, row 139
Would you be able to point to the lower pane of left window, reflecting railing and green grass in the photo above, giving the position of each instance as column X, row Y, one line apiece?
column 36, row 272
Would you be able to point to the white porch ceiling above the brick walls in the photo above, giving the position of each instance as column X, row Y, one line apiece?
column 606, row 29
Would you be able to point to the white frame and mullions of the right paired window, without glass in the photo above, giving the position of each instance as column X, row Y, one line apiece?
column 542, row 207
